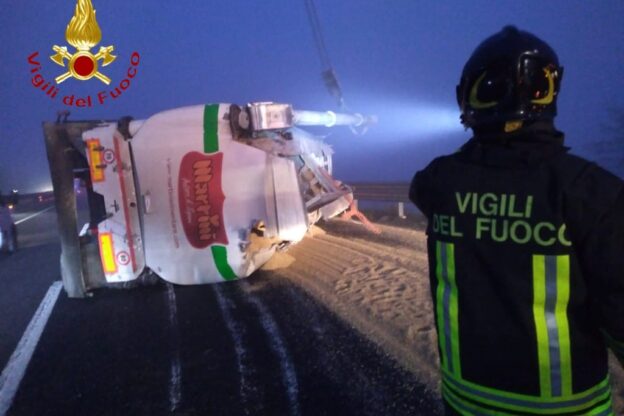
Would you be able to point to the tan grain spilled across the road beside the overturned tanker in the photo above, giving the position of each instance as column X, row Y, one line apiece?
column 380, row 285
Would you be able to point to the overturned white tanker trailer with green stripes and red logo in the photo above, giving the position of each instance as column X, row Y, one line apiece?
column 195, row 195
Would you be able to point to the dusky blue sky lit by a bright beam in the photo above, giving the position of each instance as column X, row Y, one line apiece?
column 399, row 59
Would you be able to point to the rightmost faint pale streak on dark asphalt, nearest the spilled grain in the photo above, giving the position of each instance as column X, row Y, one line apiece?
column 289, row 375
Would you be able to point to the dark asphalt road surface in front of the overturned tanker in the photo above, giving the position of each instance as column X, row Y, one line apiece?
column 260, row 346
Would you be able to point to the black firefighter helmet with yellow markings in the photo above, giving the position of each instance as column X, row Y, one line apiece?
column 511, row 78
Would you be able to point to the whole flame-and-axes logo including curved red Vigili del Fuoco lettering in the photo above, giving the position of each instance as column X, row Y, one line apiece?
column 83, row 33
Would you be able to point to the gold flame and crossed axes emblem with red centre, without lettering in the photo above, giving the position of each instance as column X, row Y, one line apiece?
column 83, row 33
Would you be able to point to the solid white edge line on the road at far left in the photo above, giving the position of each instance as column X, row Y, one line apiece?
column 16, row 367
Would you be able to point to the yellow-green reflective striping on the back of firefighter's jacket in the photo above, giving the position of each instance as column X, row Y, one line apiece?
column 551, row 294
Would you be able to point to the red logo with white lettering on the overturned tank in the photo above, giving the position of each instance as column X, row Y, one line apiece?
column 201, row 199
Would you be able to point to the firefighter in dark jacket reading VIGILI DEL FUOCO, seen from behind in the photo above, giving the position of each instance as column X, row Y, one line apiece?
column 526, row 246
